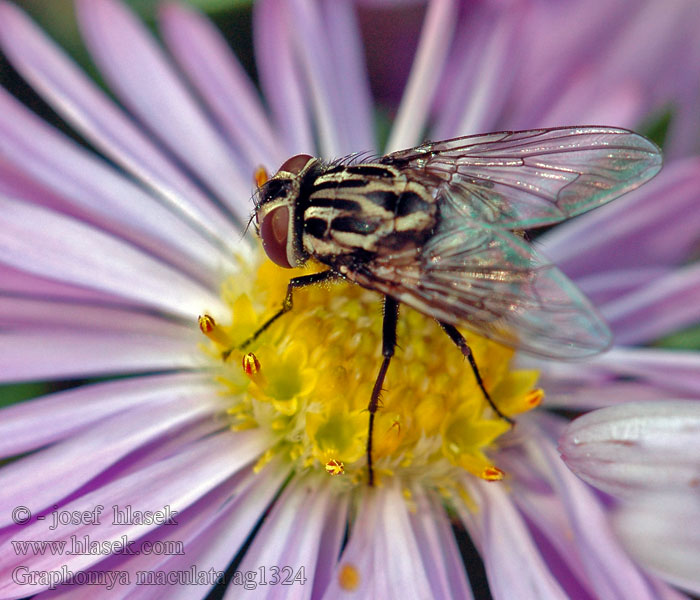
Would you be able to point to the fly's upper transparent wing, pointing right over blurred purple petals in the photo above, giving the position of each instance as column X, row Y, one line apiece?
column 527, row 179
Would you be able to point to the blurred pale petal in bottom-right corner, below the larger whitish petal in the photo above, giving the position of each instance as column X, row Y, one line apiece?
column 662, row 534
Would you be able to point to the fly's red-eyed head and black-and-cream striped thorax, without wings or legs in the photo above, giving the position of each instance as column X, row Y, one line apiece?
column 342, row 215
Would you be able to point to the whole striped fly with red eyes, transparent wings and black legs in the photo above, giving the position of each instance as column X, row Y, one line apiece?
column 438, row 228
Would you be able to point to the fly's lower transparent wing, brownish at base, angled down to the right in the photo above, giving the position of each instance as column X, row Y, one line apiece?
column 494, row 283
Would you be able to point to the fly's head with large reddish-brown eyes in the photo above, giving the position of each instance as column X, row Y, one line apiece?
column 279, row 213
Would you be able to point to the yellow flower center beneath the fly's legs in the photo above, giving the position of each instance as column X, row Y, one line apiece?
column 307, row 380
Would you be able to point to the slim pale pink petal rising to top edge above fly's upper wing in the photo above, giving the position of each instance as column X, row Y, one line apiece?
column 428, row 64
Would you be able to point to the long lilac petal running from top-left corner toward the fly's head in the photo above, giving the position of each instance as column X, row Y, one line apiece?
column 86, row 107
